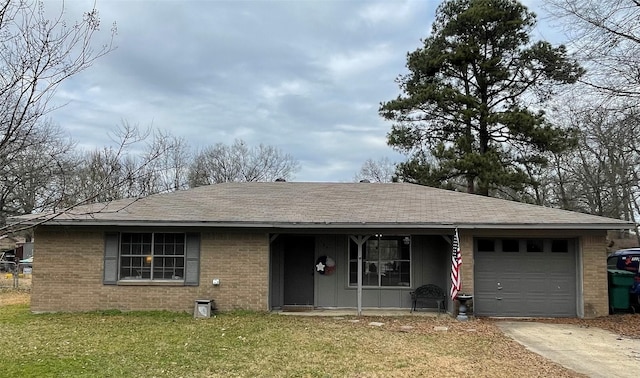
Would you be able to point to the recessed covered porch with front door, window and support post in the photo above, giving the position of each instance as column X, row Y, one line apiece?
column 318, row 273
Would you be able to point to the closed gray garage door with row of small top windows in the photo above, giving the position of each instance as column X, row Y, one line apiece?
column 525, row 277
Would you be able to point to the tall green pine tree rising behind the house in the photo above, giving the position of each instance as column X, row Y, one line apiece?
column 469, row 112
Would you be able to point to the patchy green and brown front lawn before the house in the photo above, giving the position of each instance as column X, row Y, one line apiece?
column 246, row 344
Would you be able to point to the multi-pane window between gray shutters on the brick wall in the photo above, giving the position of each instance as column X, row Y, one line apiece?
column 152, row 256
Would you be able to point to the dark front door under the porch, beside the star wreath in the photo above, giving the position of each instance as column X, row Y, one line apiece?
column 298, row 270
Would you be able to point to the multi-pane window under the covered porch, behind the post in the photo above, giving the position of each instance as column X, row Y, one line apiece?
column 386, row 261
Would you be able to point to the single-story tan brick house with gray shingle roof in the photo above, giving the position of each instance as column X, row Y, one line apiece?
column 272, row 246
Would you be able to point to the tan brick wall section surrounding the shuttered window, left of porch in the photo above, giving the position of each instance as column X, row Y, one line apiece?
column 68, row 275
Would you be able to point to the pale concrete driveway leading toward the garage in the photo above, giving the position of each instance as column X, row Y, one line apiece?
column 591, row 351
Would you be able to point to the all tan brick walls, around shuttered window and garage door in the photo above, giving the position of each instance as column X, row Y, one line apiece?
column 68, row 273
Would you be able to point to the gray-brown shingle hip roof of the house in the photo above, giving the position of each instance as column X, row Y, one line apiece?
column 329, row 205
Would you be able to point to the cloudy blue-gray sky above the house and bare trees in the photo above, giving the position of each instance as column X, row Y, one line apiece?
column 305, row 76
